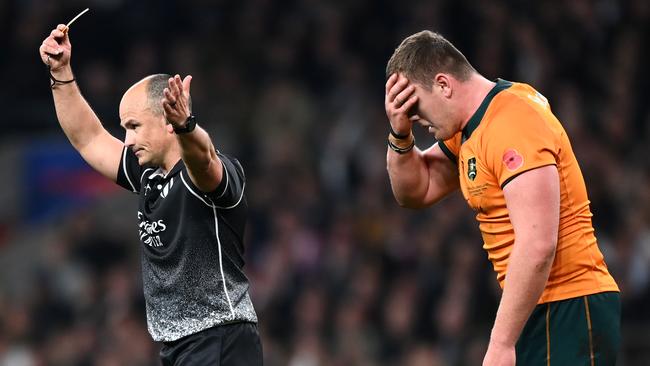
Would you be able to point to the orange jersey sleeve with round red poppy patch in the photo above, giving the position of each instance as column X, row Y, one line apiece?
column 518, row 141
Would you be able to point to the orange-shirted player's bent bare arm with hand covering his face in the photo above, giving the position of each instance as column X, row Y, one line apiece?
column 418, row 178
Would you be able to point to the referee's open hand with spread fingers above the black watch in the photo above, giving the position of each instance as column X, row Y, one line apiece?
column 176, row 100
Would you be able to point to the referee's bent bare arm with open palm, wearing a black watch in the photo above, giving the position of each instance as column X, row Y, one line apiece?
column 203, row 165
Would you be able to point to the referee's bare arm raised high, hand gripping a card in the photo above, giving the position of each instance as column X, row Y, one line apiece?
column 82, row 127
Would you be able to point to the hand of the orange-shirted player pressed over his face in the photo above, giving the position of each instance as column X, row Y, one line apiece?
column 399, row 99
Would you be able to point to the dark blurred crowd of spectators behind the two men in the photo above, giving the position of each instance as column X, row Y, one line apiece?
column 340, row 274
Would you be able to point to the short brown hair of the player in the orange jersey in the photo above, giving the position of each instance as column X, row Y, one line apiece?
column 422, row 55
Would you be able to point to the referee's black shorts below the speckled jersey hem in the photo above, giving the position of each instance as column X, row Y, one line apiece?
column 235, row 344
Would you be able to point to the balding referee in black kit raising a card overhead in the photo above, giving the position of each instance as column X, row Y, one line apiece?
column 191, row 213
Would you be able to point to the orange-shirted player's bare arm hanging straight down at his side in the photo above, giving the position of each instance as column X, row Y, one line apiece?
column 533, row 201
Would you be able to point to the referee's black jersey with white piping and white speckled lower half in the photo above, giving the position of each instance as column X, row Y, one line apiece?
column 192, row 247
